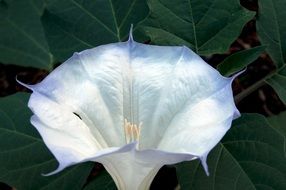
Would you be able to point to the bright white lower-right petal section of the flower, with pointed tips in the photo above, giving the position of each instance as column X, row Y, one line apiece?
column 200, row 126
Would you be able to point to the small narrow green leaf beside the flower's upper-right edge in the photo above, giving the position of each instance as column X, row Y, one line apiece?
column 239, row 60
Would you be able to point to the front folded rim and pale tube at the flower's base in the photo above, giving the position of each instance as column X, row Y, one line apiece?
column 136, row 169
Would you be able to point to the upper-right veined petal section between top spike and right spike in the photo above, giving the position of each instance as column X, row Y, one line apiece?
column 170, row 80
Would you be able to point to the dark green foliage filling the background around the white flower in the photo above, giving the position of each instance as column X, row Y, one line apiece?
column 37, row 35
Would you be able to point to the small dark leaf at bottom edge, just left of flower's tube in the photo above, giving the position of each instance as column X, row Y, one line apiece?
column 102, row 181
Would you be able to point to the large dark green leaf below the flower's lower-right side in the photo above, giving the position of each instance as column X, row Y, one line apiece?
column 250, row 156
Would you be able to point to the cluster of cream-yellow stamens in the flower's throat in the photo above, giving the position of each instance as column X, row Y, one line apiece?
column 132, row 131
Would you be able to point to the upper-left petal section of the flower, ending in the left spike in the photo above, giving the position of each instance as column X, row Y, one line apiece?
column 98, row 105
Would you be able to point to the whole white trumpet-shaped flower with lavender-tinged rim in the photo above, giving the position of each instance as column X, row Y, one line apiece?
column 134, row 108
